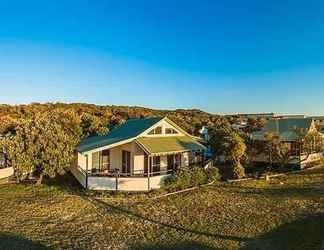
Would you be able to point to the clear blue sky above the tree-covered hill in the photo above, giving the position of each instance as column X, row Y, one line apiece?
column 222, row 56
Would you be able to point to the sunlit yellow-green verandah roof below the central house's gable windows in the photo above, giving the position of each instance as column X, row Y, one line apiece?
column 168, row 144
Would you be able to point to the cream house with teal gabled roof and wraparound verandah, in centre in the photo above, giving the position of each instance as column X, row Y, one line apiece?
column 136, row 156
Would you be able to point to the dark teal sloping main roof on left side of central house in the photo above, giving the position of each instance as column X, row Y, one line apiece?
column 128, row 130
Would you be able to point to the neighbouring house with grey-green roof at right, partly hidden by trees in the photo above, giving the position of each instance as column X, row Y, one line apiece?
column 286, row 129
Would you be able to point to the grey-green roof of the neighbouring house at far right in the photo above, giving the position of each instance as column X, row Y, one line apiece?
column 285, row 128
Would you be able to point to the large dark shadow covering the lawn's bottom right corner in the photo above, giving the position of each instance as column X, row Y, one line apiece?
column 305, row 233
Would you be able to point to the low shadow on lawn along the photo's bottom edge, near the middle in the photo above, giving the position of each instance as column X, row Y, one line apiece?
column 183, row 245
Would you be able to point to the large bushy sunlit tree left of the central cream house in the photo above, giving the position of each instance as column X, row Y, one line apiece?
column 43, row 144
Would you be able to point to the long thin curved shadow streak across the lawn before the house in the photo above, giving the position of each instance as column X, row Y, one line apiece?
column 129, row 213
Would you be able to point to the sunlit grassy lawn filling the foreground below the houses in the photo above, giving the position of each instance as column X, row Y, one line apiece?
column 285, row 213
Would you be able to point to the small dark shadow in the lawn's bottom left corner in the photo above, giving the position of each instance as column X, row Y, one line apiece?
column 11, row 241
